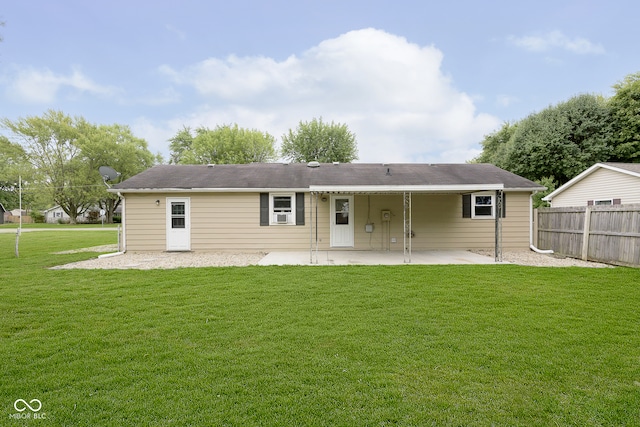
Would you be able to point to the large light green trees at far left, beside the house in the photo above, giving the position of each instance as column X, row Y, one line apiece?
column 57, row 158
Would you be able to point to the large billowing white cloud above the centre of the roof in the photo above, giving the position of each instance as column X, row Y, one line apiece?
column 390, row 92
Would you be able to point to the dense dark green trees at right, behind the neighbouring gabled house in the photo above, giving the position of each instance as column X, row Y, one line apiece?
column 554, row 145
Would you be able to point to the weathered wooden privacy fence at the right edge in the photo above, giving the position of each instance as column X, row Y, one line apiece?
column 609, row 234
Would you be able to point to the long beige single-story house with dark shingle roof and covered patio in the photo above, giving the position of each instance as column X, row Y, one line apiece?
column 352, row 206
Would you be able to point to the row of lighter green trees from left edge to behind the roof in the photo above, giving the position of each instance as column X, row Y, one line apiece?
column 57, row 156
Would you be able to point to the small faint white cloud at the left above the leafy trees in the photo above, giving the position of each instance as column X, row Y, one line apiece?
column 41, row 86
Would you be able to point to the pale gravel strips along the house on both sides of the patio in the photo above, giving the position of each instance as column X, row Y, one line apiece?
column 169, row 260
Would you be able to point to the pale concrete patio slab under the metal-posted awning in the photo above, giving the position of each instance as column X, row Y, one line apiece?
column 373, row 258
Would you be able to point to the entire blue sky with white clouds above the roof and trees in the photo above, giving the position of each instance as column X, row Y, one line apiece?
column 416, row 81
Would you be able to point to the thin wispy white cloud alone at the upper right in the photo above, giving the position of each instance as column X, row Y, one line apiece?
column 557, row 40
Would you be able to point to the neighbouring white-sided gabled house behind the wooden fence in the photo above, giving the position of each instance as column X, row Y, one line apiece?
column 601, row 184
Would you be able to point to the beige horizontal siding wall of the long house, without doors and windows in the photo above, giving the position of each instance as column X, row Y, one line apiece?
column 231, row 221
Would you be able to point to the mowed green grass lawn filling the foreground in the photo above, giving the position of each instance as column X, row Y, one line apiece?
column 314, row 346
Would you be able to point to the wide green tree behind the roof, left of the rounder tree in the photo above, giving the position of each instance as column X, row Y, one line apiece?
column 228, row 144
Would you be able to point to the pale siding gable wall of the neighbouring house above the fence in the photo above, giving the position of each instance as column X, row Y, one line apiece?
column 602, row 184
